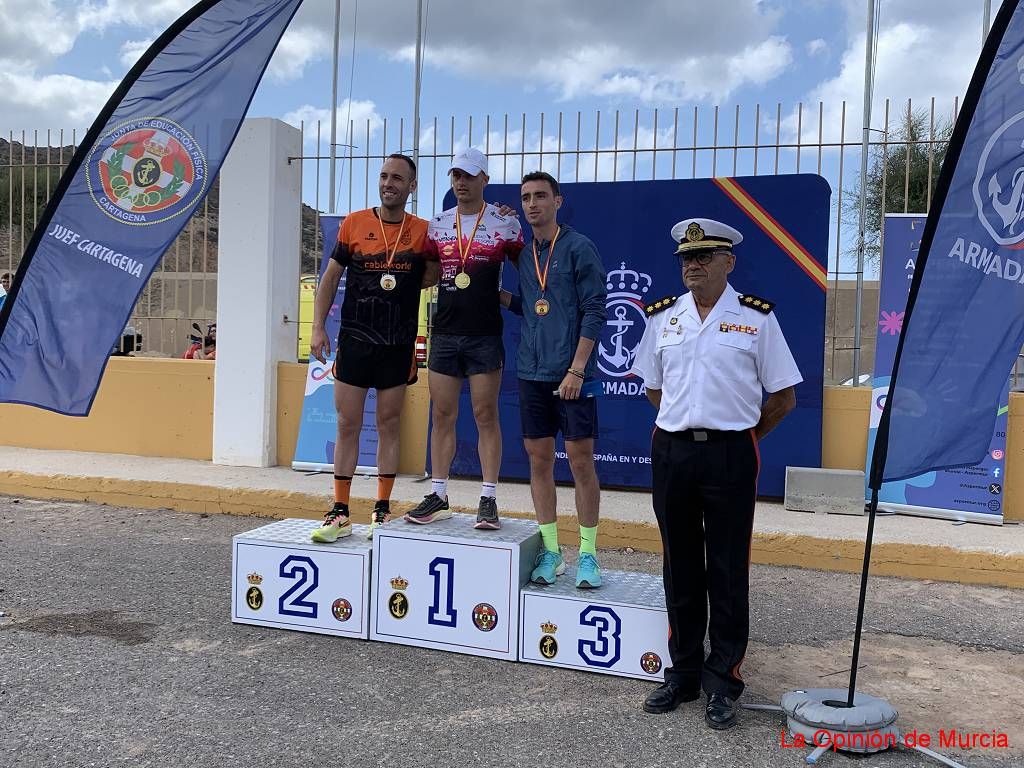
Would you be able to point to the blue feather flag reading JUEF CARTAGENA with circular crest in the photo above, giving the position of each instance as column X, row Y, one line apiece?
column 145, row 166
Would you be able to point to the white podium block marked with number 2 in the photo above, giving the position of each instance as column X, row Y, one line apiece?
column 281, row 579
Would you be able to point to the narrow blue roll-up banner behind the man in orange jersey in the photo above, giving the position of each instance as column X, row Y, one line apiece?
column 319, row 425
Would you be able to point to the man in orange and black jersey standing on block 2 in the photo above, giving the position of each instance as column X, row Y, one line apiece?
column 389, row 261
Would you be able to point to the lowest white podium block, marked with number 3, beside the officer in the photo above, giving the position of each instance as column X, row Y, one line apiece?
column 621, row 629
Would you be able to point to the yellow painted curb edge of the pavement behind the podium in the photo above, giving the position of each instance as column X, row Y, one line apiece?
column 846, row 556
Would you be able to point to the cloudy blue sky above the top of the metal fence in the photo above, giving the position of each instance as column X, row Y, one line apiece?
column 60, row 60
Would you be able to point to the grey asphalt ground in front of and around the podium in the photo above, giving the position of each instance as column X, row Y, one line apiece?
column 117, row 650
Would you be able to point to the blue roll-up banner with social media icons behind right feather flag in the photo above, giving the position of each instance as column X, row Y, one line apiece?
column 964, row 494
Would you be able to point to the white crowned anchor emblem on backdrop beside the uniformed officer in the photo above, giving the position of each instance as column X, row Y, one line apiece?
column 626, row 321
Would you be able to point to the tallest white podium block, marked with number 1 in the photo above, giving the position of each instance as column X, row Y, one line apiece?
column 450, row 587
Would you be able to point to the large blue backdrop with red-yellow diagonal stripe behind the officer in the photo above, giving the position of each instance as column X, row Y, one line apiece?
column 785, row 222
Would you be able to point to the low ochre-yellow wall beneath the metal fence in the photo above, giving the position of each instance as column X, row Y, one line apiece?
column 152, row 407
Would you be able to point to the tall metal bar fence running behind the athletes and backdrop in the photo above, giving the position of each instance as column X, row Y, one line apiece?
column 638, row 145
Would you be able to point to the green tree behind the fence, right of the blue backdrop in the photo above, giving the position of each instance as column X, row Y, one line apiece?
column 902, row 179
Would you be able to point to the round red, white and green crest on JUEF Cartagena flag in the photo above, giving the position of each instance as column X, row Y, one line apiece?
column 147, row 172
